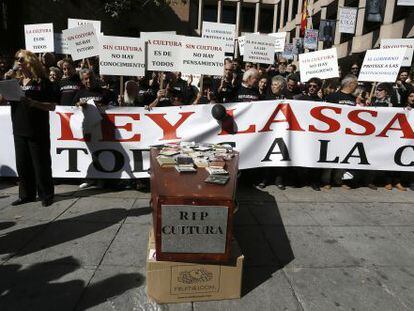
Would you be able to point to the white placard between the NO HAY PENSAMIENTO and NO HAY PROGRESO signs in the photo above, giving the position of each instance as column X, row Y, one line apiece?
column 259, row 49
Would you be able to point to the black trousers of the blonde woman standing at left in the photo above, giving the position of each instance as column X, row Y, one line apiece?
column 34, row 167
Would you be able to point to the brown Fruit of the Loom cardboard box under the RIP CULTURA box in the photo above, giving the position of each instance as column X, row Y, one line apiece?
column 172, row 282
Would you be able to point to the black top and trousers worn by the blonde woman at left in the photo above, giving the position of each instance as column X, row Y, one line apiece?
column 31, row 133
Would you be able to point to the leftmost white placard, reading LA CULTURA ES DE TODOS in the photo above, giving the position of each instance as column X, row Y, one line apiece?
column 39, row 38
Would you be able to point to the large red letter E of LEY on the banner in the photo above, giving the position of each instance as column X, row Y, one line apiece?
column 109, row 127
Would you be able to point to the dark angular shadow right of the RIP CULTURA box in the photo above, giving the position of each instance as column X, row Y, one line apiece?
column 260, row 232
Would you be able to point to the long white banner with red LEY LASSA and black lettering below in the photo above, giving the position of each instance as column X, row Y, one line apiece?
column 267, row 133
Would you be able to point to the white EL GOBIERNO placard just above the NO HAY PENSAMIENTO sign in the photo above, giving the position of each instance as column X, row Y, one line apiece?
column 220, row 32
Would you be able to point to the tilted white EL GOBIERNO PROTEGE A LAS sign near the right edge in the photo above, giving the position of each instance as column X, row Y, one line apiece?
column 381, row 65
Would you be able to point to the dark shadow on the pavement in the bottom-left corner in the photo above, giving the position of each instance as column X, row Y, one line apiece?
column 37, row 287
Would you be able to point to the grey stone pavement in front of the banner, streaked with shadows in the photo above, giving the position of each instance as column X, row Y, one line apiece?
column 305, row 250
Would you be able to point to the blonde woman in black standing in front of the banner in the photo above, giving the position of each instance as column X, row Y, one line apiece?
column 30, row 119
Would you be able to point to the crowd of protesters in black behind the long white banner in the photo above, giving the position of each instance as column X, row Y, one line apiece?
column 75, row 83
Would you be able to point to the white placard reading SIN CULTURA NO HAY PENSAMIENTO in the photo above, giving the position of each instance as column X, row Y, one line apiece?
column 202, row 56
